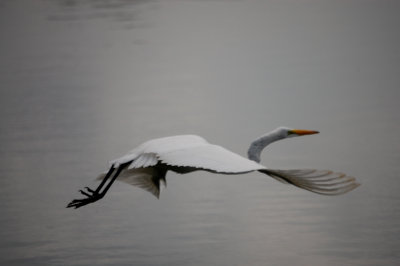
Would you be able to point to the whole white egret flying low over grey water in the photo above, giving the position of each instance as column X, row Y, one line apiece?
column 146, row 166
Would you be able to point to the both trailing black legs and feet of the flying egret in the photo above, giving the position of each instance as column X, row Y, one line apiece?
column 95, row 195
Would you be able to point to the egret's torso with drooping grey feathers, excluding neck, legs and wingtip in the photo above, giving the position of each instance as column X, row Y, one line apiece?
column 149, row 162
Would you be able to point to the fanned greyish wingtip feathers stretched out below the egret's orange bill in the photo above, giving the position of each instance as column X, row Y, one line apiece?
column 318, row 181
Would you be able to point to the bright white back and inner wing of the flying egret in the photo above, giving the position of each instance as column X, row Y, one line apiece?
column 188, row 151
